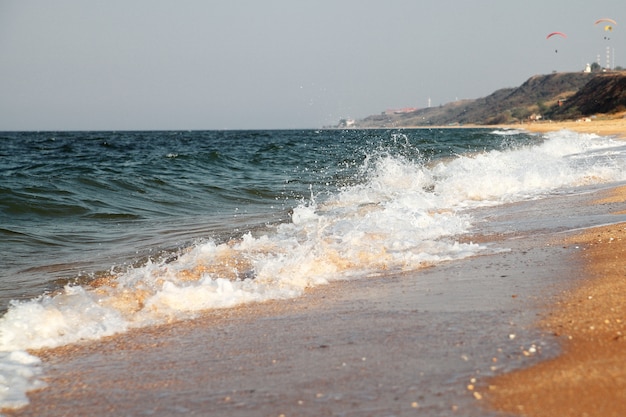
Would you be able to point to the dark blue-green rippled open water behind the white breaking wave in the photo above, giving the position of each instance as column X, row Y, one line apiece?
column 73, row 204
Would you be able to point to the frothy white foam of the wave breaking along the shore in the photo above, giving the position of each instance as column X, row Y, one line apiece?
column 403, row 217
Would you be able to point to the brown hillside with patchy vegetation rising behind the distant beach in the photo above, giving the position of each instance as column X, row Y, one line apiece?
column 557, row 96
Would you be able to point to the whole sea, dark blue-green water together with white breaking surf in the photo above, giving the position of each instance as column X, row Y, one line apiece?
column 104, row 232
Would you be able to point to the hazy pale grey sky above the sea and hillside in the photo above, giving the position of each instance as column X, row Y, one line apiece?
column 278, row 64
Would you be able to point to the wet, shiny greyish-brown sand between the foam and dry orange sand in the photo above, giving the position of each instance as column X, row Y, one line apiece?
column 405, row 344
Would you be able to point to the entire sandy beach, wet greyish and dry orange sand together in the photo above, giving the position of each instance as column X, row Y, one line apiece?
column 464, row 338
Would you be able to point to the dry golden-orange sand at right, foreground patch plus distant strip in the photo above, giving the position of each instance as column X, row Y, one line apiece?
column 589, row 378
